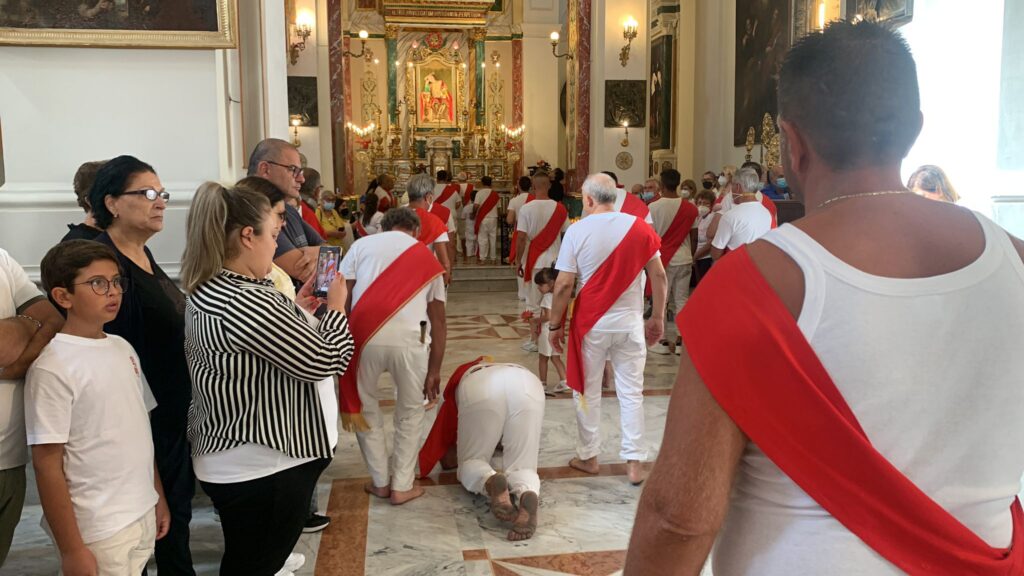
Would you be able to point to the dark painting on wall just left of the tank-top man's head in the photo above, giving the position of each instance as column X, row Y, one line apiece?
column 762, row 40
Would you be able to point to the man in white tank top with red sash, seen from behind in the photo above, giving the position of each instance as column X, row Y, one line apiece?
column 903, row 318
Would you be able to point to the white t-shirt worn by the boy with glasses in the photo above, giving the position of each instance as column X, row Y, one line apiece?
column 91, row 395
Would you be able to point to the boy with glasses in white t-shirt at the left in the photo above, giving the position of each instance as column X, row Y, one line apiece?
column 88, row 407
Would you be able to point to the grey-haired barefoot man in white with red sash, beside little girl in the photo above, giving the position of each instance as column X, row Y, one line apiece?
column 609, row 252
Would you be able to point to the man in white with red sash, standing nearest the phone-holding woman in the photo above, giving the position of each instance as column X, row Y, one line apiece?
column 397, row 293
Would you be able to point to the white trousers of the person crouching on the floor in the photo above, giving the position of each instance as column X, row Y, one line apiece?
column 501, row 403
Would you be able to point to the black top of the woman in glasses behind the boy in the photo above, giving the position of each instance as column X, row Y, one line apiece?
column 152, row 319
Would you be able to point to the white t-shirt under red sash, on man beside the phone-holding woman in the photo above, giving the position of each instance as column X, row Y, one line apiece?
column 365, row 263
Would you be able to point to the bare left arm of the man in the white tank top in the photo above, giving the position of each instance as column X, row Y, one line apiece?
column 686, row 500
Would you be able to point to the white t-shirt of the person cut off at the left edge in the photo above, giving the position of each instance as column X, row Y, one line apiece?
column 16, row 292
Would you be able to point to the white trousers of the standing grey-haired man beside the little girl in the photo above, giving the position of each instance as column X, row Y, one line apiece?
column 628, row 353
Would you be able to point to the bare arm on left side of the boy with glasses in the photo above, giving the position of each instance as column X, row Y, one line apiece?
column 48, row 461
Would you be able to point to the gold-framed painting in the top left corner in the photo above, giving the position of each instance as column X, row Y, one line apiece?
column 124, row 24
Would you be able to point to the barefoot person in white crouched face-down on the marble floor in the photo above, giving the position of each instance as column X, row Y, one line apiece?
column 486, row 405
